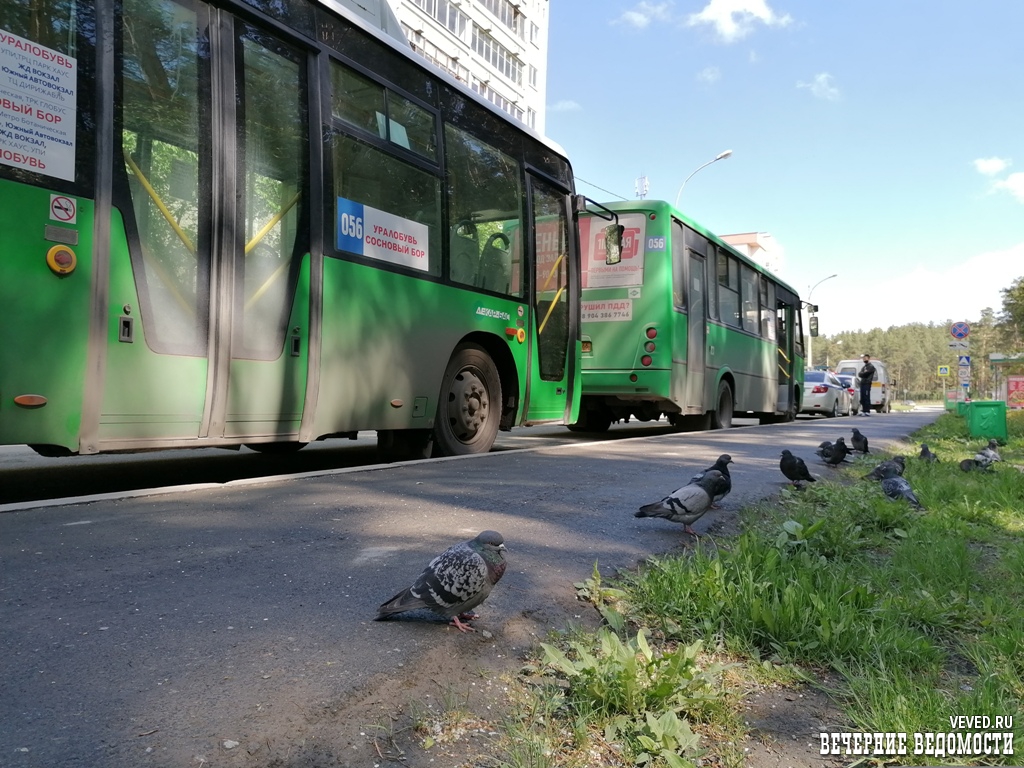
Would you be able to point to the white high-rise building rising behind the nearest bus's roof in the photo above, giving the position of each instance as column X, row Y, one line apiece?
column 498, row 48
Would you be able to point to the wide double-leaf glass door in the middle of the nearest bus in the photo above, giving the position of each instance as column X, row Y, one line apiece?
column 210, row 168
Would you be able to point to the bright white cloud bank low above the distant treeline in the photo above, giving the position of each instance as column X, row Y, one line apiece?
column 923, row 295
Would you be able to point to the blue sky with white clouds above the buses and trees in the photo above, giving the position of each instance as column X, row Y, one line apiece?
column 880, row 141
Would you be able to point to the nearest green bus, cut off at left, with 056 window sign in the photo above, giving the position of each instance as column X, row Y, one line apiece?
column 267, row 223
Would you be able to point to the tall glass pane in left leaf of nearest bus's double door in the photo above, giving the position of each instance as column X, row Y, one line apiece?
column 161, row 143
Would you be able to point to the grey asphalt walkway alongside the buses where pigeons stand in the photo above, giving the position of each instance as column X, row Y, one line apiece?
column 146, row 631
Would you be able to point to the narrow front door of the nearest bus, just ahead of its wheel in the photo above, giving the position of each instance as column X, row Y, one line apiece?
column 554, row 374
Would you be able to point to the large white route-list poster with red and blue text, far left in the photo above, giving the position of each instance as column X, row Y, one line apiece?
column 38, row 90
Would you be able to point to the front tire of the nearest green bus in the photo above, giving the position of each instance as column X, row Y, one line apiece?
column 470, row 407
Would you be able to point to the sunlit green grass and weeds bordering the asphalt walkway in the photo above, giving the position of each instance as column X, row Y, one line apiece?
column 919, row 616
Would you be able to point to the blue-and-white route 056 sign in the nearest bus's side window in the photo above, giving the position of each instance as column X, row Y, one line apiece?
column 379, row 235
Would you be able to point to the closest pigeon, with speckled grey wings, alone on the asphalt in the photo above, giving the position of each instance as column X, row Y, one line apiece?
column 455, row 582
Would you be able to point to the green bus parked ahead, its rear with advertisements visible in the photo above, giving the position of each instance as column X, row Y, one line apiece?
column 685, row 326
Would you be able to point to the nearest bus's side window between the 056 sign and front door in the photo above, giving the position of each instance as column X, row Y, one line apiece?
column 485, row 204
